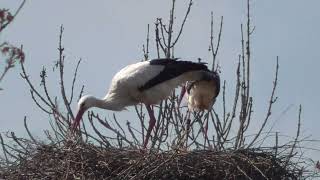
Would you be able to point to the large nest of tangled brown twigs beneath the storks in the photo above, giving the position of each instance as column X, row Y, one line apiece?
column 87, row 161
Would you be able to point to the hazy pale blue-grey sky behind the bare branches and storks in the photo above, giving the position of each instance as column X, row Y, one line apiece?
column 108, row 35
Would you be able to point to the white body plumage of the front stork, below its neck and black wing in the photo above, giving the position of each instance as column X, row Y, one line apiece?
column 124, row 86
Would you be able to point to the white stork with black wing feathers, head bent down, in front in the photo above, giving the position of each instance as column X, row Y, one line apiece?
column 146, row 82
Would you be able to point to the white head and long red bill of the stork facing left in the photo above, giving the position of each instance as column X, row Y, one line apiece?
column 84, row 104
